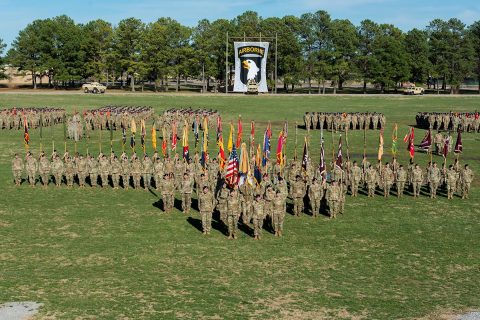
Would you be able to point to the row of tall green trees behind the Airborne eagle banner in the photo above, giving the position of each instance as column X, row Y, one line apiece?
column 311, row 48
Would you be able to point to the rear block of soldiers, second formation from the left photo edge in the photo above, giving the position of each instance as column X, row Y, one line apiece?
column 116, row 116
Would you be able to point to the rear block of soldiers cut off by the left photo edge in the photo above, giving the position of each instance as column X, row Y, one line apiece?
column 14, row 118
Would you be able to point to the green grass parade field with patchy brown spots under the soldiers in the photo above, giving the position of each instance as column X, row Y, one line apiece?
column 113, row 254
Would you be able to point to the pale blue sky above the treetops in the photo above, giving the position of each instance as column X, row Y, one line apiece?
column 405, row 14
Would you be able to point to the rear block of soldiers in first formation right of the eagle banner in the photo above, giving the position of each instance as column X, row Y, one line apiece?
column 341, row 121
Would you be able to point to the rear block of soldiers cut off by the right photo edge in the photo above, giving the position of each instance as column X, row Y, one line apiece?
column 449, row 121
